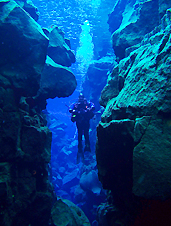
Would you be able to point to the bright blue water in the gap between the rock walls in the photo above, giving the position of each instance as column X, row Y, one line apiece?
column 84, row 22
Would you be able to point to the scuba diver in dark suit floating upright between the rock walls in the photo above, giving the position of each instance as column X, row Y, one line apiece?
column 81, row 113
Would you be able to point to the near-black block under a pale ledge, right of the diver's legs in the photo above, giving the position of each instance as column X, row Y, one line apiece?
column 114, row 160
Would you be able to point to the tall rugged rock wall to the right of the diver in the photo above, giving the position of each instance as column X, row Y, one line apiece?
column 134, row 135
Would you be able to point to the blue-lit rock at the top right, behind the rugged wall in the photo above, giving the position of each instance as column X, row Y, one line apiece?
column 131, row 20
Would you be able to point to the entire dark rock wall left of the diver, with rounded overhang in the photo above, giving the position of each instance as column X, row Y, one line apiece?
column 26, row 195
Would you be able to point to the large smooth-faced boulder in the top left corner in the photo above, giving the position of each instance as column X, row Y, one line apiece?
column 23, row 48
